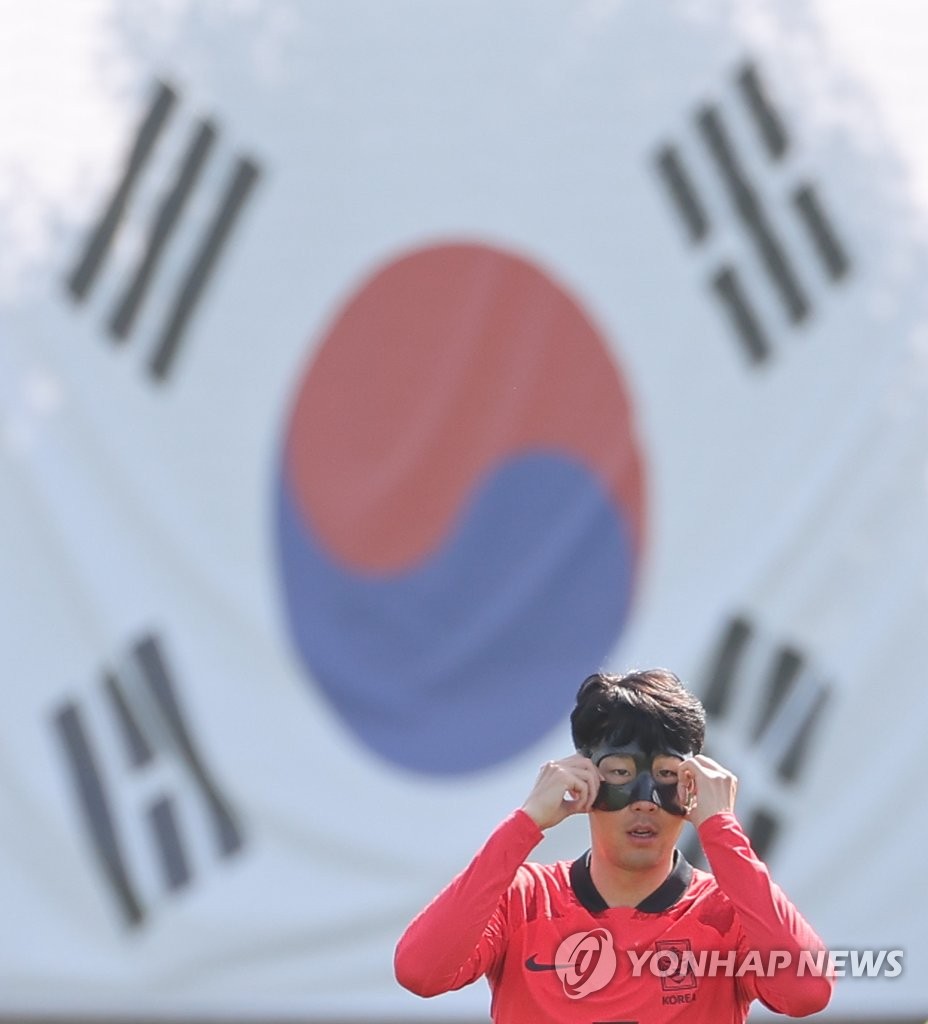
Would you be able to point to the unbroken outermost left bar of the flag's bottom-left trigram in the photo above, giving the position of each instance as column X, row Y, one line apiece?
column 98, row 810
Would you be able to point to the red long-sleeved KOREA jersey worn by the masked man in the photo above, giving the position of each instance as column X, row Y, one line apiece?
column 699, row 950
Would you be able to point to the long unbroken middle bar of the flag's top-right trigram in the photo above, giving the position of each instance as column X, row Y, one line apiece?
column 751, row 211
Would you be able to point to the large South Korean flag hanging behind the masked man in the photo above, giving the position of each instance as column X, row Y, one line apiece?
column 370, row 373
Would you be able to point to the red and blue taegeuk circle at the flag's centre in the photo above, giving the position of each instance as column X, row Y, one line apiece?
column 460, row 508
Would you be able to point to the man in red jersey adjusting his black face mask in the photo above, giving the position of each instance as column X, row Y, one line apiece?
column 628, row 933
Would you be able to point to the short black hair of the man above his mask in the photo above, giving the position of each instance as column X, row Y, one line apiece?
column 651, row 706
